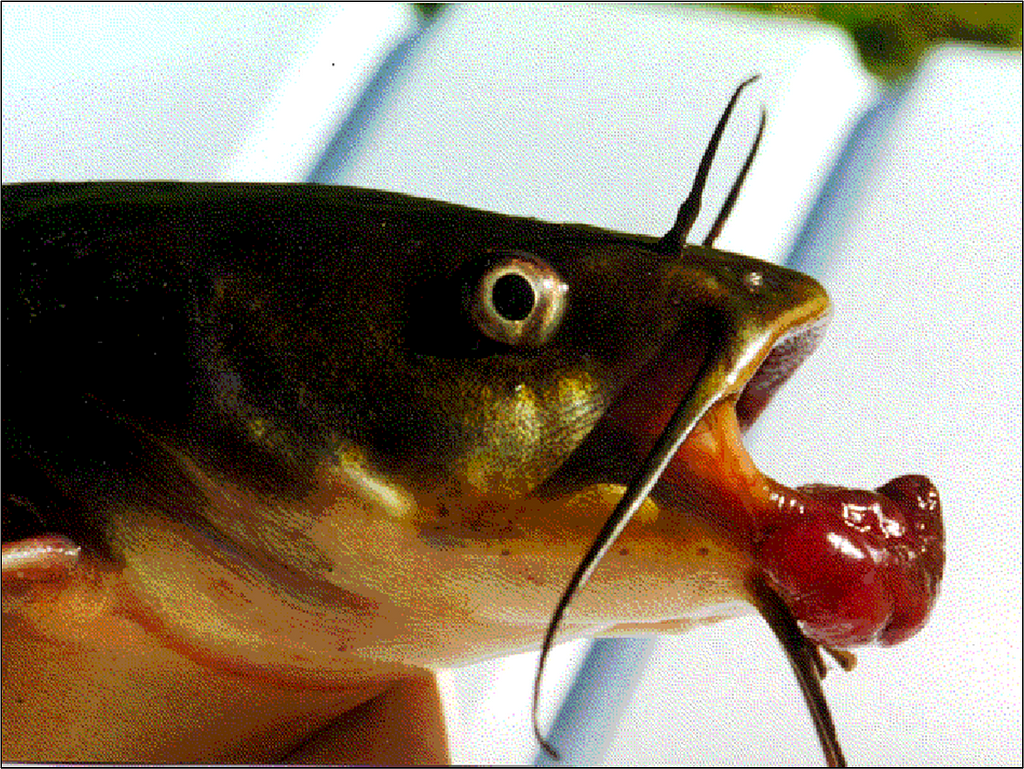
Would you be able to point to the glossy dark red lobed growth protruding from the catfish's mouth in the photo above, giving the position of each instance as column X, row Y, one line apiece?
column 856, row 567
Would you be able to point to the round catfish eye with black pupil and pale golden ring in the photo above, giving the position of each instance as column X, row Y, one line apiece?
column 520, row 301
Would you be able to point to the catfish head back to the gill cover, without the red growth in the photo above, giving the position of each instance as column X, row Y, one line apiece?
column 409, row 420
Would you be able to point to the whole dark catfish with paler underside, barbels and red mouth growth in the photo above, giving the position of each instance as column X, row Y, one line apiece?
column 276, row 453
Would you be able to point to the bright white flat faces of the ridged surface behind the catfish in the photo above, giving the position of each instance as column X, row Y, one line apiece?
column 600, row 116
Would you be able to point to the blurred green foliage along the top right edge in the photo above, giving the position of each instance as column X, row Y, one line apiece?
column 891, row 37
